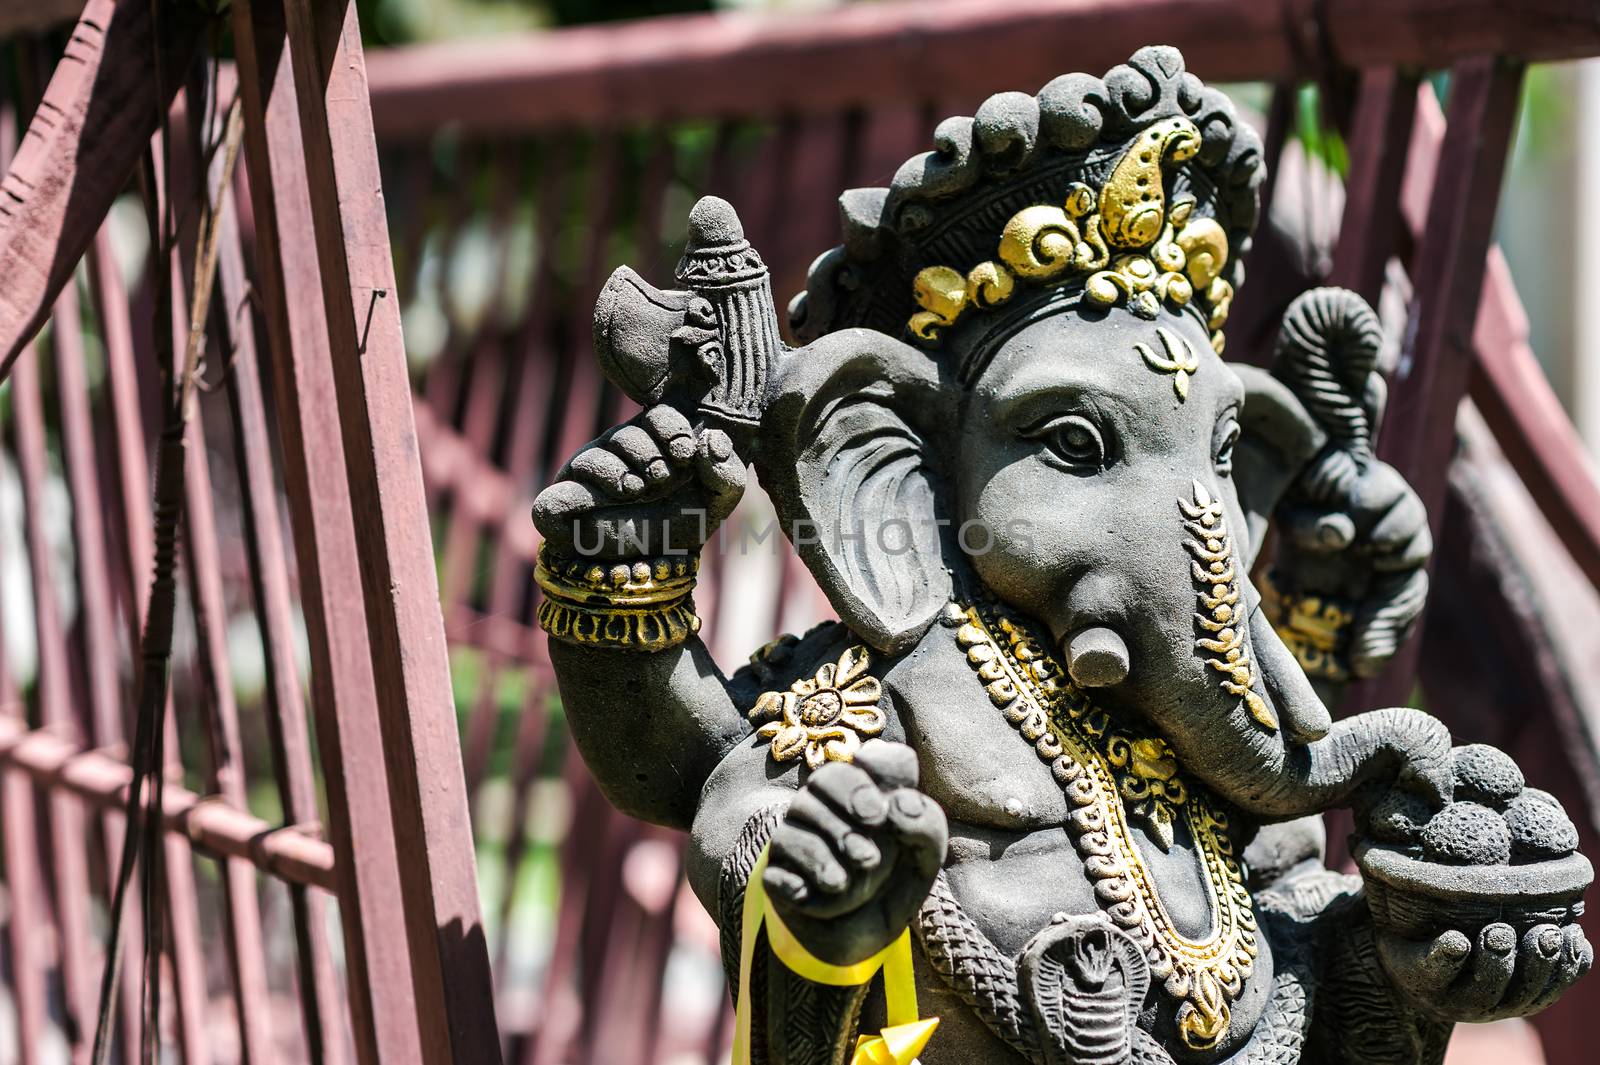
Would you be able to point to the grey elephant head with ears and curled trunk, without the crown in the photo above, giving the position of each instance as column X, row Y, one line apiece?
column 1108, row 476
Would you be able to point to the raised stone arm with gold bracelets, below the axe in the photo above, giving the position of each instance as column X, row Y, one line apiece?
column 623, row 530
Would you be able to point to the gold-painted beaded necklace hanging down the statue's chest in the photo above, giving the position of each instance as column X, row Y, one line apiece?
column 1110, row 776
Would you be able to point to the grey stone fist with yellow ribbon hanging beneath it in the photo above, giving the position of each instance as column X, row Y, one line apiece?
column 857, row 855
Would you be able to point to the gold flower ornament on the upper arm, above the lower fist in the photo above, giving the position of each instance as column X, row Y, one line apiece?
column 823, row 717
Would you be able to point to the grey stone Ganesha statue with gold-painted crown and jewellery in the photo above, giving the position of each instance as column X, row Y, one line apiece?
column 1050, row 788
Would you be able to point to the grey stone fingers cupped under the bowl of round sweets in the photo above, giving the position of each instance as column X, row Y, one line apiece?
column 1494, row 976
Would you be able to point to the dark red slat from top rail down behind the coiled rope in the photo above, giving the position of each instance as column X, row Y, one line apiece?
column 1385, row 114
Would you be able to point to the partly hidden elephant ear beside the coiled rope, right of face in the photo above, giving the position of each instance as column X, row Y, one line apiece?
column 1278, row 439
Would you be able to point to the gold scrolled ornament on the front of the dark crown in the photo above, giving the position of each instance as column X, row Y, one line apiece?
column 1122, row 239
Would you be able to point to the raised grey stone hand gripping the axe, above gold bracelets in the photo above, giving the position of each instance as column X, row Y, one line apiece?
column 650, row 487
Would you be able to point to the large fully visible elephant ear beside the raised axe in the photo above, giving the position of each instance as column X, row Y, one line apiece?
column 846, row 457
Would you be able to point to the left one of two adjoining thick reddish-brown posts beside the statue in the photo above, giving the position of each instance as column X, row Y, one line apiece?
column 343, row 690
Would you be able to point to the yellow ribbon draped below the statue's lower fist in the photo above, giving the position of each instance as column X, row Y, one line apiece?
column 906, row 1035
